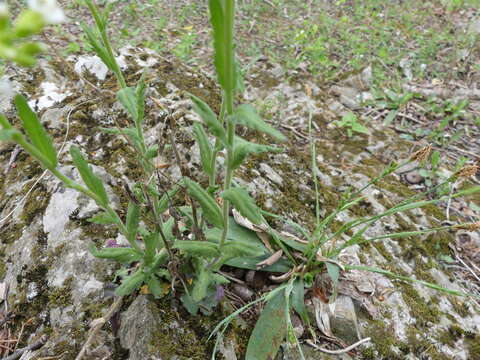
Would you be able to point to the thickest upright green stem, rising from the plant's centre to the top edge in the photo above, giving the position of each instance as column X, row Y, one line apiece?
column 229, row 92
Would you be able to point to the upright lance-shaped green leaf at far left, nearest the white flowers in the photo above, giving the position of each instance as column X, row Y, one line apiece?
column 35, row 131
